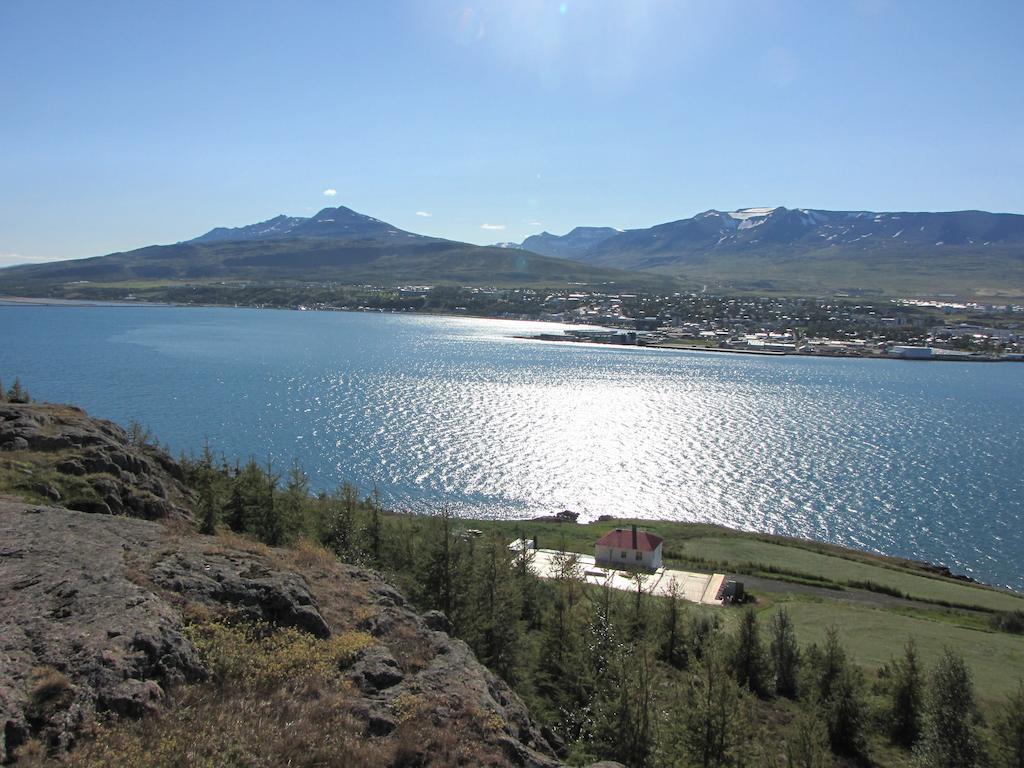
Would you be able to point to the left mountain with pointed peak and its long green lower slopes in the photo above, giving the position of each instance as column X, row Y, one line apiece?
column 337, row 245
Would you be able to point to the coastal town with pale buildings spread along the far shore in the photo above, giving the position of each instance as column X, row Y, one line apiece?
column 909, row 329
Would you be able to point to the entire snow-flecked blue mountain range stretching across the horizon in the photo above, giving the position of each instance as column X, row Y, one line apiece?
column 783, row 250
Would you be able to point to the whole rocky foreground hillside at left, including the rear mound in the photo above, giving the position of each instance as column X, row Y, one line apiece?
column 96, row 613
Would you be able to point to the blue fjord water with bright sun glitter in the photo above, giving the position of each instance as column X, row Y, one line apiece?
column 911, row 459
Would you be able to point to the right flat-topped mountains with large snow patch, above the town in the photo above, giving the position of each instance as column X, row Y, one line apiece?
column 808, row 250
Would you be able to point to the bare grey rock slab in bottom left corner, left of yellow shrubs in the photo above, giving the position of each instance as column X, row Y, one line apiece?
column 77, row 634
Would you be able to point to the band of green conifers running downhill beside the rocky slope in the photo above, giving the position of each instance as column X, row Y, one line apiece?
column 623, row 675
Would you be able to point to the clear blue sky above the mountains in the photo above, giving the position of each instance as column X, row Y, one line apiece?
column 131, row 123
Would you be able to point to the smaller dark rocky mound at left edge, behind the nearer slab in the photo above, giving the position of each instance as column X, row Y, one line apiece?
column 58, row 454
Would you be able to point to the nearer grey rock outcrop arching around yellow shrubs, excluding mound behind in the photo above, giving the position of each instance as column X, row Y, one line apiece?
column 94, row 625
